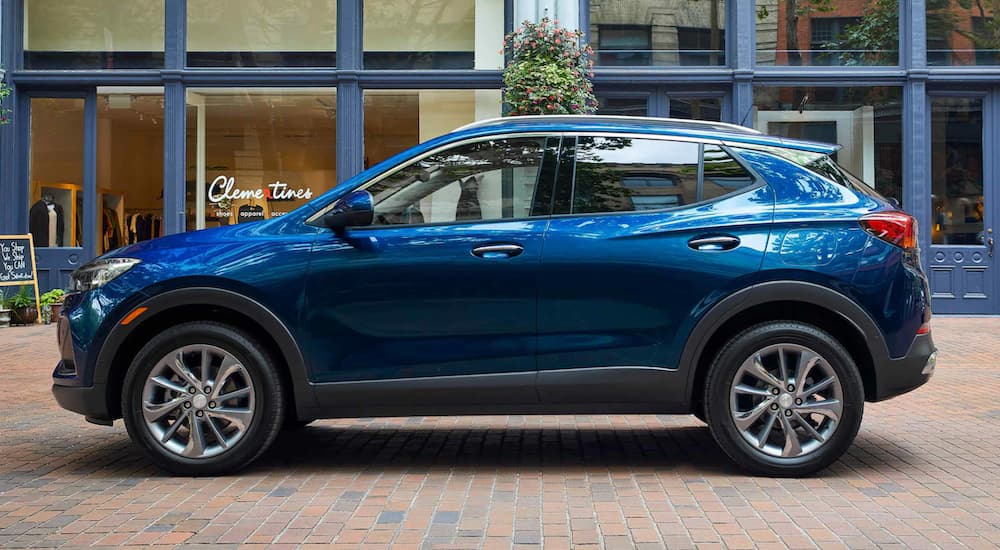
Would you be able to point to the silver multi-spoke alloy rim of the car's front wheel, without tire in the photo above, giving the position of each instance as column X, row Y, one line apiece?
column 198, row 401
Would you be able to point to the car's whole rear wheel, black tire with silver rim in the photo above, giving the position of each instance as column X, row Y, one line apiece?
column 784, row 399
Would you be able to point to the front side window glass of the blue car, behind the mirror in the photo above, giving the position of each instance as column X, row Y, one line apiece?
column 486, row 180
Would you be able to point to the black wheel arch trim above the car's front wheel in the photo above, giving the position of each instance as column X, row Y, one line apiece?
column 291, row 354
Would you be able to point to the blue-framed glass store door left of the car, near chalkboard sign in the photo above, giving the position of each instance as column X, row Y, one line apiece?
column 60, row 183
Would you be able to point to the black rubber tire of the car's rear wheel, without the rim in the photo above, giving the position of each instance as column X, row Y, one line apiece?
column 721, row 378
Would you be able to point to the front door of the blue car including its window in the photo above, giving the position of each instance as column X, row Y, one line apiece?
column 443, row 284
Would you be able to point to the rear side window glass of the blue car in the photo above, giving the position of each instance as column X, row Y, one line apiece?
column 622, row 174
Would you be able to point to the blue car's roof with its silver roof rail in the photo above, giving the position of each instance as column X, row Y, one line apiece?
column 730, row 133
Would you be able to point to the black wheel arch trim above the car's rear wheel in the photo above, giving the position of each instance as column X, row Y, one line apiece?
column 779, row 291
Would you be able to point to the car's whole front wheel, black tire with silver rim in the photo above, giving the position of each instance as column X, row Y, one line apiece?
column 203, row 398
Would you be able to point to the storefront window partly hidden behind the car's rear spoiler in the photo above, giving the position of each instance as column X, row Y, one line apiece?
column 865, row 121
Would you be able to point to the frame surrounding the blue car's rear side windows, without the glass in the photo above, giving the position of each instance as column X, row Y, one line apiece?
column 569, row 142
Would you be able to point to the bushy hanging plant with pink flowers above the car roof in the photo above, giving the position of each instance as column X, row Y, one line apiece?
column 548, row 71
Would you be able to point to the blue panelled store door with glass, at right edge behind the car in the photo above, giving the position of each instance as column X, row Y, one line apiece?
column 963, row 173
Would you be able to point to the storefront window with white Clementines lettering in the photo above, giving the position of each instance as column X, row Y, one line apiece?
column 257, row 153
